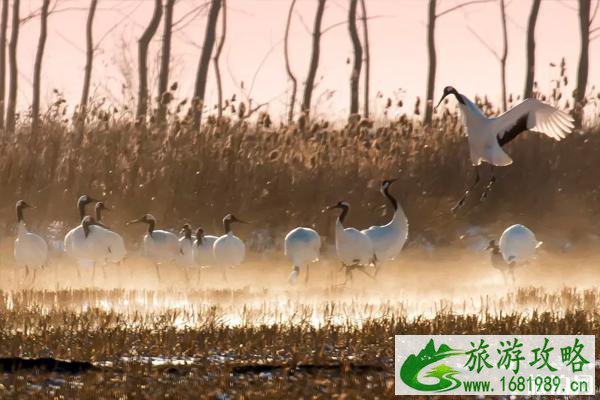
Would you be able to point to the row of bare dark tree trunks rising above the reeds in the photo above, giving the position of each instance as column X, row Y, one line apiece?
column 215, row 34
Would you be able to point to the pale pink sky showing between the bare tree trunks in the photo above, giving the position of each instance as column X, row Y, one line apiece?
column 254, row 48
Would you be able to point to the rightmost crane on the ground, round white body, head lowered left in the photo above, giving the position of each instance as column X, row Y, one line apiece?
column 517, row 245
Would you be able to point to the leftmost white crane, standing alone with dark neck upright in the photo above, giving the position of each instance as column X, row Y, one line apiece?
column 30, row 250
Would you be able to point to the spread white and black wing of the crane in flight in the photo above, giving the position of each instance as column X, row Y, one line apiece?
column 532, row 115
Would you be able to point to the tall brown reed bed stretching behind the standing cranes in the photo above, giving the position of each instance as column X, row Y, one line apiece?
column 281, row 176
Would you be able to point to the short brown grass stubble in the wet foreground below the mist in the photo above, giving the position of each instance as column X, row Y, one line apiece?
column 149, row 353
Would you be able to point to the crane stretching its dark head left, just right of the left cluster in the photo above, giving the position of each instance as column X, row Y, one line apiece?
column 158, row 245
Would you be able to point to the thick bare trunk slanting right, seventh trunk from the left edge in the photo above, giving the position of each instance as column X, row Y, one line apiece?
column 207, row 48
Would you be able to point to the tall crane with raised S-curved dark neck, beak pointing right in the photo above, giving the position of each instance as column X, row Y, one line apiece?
column 389, row 239
